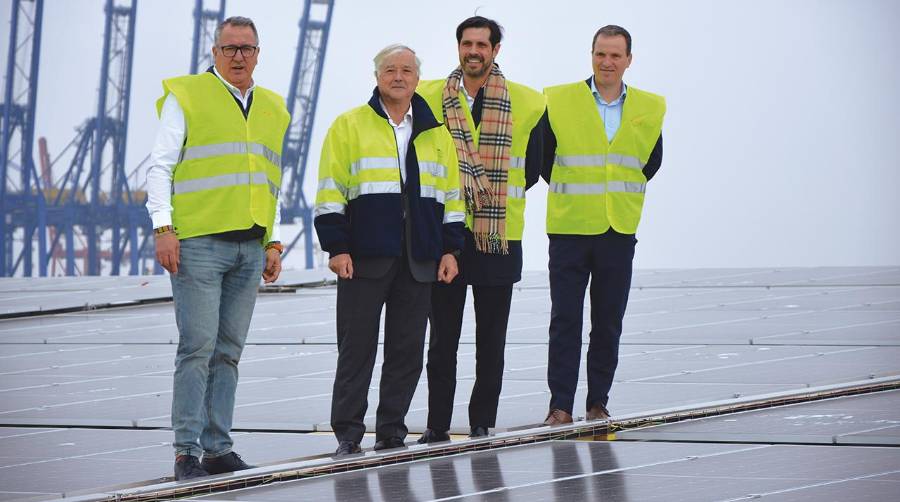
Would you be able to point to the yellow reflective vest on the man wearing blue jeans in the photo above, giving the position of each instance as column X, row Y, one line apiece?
column 229, row 173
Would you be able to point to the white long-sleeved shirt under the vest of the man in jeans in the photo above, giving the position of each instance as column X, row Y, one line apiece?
column 165, row 154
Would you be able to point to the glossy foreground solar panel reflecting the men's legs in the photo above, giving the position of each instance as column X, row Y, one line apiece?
column 577, row 470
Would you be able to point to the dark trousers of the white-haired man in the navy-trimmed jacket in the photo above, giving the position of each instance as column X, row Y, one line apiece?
column 359, row 305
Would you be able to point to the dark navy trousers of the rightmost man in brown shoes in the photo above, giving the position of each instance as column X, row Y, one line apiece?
column 605, row 260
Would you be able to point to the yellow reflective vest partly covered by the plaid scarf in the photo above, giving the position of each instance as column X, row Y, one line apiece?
column 527, row 108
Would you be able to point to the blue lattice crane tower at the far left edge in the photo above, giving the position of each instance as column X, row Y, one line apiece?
column 18, row 200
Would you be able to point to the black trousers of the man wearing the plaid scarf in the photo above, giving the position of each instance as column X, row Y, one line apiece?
column 492, row 305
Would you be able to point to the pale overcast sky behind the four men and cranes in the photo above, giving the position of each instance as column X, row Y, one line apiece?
column 781, row 134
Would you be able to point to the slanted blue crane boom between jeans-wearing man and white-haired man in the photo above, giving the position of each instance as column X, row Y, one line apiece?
column 303, row 95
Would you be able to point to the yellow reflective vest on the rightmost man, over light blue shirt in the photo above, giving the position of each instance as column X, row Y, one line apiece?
column 597, row 184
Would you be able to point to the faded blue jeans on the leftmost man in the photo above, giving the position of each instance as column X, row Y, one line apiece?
column 215, row 292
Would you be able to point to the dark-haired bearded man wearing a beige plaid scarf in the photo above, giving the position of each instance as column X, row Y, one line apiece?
column 493, row 124
